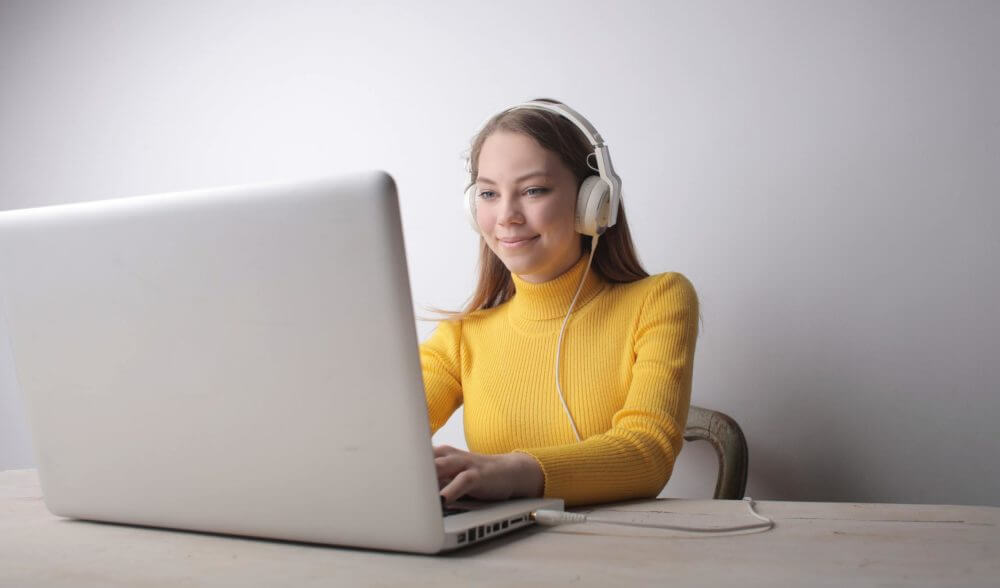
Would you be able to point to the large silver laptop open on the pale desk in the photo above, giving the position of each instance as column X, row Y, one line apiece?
column 240, row 360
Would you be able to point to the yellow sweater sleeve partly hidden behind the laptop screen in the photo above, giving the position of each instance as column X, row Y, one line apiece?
column 440, row 360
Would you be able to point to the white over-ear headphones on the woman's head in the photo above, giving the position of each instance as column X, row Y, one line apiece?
column 599, row 195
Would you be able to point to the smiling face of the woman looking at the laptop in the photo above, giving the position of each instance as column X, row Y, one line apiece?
column 525, row 205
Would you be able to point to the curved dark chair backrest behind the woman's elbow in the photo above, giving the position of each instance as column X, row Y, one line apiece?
column 730, row 445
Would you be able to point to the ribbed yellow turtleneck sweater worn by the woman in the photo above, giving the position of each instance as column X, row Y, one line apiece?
column 626, row 368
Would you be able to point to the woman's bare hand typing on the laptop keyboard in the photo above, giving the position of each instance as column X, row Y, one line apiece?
column 487, row 477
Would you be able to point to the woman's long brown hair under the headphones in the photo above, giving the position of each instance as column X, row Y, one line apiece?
column 615, row 259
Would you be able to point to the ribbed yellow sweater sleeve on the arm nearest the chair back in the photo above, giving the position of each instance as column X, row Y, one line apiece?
column 634, row 458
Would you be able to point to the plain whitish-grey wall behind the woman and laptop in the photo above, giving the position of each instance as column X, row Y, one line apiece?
column 826, row 173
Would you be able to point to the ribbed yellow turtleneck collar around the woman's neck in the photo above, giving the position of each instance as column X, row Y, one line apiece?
column 549, row 300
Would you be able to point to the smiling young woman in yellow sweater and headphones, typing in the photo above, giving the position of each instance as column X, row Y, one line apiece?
column 573, row 364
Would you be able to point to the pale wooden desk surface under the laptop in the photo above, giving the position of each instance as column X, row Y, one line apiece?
column 813, row 544
